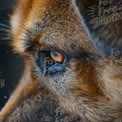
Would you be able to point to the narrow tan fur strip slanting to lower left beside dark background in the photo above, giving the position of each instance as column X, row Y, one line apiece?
column 24, row 89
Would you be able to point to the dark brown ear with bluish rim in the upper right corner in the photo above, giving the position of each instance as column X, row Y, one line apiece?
column 103, row 21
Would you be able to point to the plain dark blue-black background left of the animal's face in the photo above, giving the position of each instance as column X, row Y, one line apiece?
column 11, row 65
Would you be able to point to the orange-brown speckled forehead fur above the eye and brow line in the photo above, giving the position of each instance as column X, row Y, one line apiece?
column 49, row 22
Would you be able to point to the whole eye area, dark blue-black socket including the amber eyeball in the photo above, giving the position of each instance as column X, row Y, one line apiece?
column 52, row 62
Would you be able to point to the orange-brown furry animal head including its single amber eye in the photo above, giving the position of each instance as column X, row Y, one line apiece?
column 51, row 35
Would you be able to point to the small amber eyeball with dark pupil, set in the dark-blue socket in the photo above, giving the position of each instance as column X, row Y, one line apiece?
column 57, row 57
